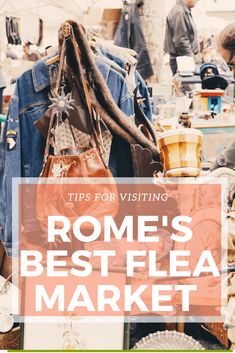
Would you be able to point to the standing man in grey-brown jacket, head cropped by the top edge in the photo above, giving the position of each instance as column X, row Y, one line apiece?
column 181, row 37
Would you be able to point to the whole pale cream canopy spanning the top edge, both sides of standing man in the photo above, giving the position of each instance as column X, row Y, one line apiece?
column 54, row 12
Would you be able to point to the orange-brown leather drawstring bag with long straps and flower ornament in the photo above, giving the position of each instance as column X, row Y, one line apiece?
column 52, row 196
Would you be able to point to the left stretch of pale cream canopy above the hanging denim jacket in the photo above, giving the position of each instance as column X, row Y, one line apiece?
column 52, row 12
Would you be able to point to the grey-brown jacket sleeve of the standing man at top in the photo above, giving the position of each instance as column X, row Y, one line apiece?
column 181, row 36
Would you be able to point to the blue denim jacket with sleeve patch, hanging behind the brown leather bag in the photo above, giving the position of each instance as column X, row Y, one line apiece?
column 29, row 102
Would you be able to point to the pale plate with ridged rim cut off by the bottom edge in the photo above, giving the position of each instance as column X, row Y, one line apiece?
column 168, row 340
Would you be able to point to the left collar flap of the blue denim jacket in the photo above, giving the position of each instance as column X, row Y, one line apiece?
column 40, row 75
